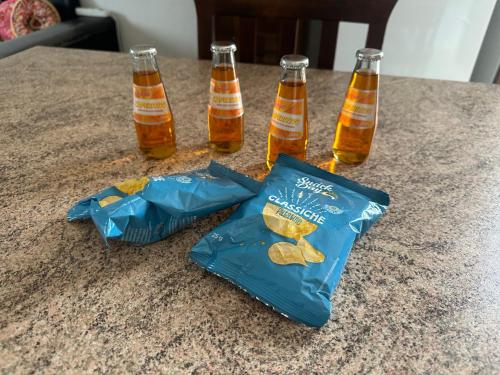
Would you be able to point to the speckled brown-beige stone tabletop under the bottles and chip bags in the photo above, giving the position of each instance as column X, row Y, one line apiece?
column 421, row 291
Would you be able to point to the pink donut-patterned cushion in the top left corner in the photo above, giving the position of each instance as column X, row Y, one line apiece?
column 21, row 17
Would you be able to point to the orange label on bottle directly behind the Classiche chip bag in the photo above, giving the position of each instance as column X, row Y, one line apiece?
column 287, row 121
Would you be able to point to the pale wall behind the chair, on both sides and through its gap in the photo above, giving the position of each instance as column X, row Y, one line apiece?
column 424, row 38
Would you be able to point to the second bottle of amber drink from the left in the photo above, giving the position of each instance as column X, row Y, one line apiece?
column 225, row 108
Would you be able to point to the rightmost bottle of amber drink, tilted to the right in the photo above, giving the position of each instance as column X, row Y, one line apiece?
column 358, row 118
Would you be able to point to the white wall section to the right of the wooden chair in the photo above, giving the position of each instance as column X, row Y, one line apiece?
column 436, row 38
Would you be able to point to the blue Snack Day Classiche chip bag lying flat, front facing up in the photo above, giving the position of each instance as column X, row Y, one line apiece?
column 288, row 245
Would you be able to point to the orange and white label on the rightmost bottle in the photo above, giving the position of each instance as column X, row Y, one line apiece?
column 360, row 108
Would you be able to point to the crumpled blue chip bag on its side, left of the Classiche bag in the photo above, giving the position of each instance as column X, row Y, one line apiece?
column 147, row 209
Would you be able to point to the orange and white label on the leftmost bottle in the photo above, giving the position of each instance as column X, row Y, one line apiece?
column 150, row 105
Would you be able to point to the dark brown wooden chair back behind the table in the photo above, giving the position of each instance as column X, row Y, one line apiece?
column 264, row 30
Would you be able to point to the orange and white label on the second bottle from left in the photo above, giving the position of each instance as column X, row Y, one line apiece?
column 225, row 99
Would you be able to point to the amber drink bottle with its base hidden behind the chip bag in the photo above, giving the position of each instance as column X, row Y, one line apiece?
column 288, row 128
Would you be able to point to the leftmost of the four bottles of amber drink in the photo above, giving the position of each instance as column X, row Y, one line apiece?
column 154, row 123
